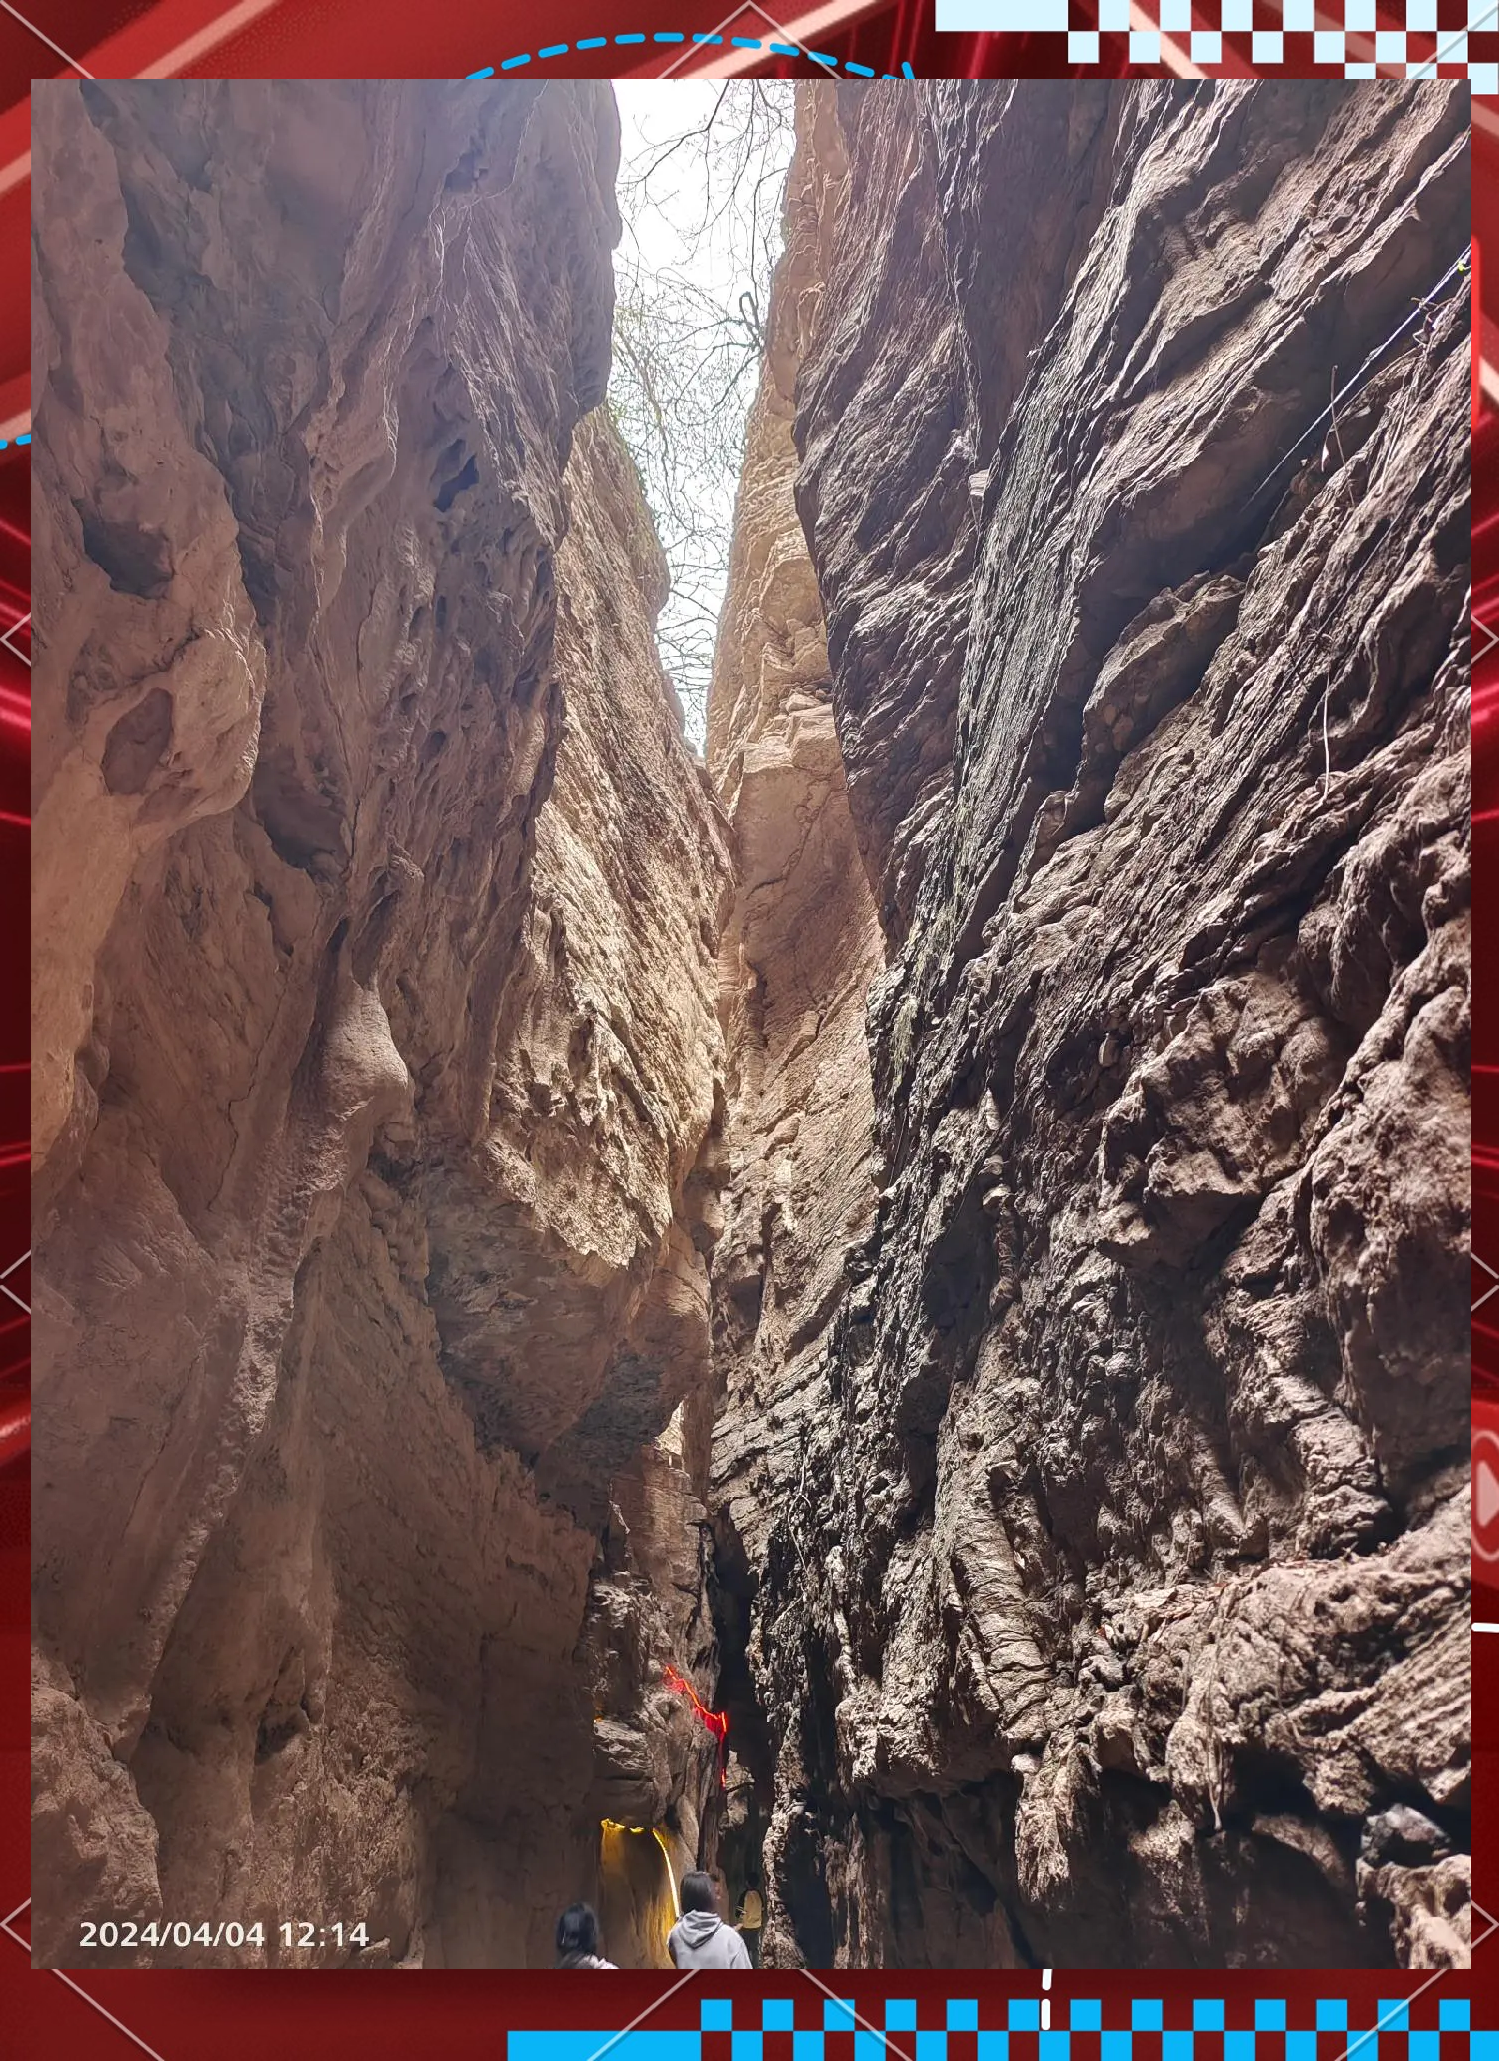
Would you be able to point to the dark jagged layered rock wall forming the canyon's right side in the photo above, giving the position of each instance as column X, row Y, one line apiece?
column 1096, row 1559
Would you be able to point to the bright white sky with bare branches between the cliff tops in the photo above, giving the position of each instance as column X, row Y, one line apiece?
column 700, row 193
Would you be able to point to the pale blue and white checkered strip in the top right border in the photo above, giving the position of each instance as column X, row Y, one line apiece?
column 1434, row 44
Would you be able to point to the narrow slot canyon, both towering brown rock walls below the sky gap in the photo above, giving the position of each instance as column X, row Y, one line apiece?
column 875, row 1310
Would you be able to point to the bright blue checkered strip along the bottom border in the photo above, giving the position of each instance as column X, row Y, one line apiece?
column 1387, row 2035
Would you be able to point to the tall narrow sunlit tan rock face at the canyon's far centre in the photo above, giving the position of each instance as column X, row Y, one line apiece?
column 801, row 951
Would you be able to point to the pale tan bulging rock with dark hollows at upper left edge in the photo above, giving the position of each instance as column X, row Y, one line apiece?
column 149, row 636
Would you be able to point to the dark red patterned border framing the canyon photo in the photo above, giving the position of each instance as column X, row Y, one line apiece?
column 461, row 2015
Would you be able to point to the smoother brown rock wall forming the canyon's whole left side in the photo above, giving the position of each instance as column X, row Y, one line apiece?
column 378, row 1062
